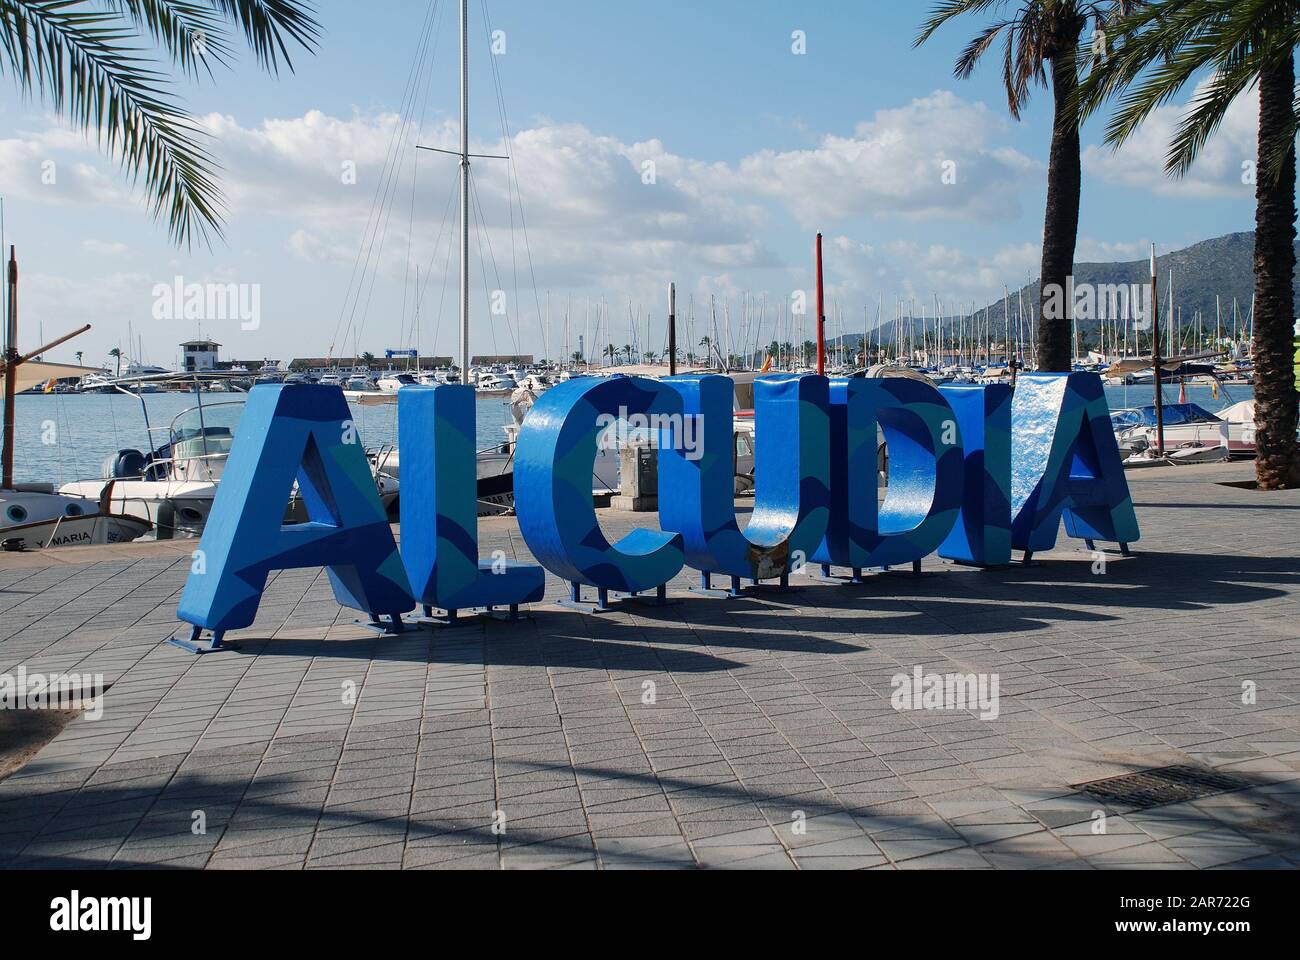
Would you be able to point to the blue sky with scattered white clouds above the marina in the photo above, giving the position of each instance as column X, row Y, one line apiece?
column 753, row 146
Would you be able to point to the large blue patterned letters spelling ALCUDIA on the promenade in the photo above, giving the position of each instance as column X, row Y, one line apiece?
column 974, row 473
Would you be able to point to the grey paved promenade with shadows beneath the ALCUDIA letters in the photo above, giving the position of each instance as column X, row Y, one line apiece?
column 753, row 733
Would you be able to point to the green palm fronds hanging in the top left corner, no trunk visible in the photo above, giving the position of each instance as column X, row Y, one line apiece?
column 101, row 64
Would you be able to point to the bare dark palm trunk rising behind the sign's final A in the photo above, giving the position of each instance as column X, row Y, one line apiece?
column 1061, row 223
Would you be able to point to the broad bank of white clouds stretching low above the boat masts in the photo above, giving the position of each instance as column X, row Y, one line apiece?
column 595, row 223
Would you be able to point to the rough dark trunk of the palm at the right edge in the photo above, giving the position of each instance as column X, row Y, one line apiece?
column 1277, row 465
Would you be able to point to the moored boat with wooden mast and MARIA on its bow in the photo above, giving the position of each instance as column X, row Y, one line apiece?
column 33, row 517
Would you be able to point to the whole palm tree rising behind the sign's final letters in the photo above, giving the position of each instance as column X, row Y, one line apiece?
column 1038, row 34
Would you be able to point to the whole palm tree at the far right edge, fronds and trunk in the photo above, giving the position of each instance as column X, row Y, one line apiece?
column 1243, row 45
